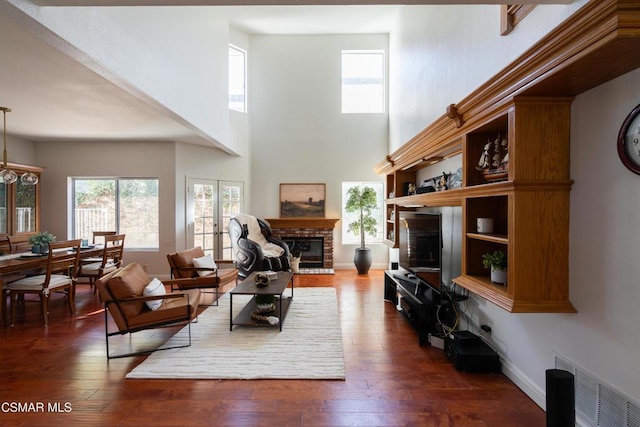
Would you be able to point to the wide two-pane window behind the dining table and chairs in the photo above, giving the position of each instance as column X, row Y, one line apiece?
column 126, row 205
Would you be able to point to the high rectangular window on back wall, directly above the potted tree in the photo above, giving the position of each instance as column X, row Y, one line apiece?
column 363, row 89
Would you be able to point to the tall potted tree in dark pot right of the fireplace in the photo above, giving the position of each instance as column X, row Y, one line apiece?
column 362, row 201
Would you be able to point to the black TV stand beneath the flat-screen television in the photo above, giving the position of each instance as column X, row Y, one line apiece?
column 412, row 298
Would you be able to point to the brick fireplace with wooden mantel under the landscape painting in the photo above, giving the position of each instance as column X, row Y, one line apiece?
column 306, row 233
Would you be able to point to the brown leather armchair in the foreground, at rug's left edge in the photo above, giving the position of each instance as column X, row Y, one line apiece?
column 123, row 293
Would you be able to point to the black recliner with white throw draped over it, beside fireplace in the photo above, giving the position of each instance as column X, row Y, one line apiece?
column 254, row 246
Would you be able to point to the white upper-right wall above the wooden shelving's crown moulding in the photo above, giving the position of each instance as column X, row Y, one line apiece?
column 439, row 54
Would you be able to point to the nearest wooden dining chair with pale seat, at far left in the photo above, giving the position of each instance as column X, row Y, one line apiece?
column 60, row 277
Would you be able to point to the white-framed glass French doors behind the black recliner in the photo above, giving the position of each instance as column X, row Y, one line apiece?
column 210, row 206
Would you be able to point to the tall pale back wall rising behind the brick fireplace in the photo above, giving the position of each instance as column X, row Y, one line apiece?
column 298, row 134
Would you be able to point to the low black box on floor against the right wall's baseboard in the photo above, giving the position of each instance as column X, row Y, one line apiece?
column 471, row 358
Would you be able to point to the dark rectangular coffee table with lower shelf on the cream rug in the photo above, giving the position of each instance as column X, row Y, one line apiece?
column 248, row 286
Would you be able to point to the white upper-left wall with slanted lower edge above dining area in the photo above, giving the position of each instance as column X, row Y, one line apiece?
column 176, row 56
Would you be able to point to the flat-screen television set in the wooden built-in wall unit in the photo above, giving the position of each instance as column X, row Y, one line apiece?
column 420, row 246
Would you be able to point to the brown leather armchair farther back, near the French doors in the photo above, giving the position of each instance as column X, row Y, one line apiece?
column 185, row 275
